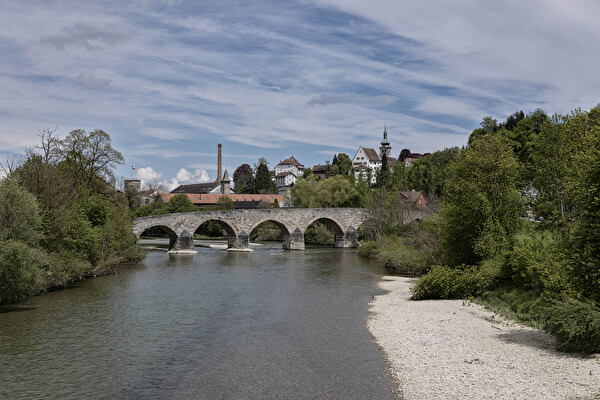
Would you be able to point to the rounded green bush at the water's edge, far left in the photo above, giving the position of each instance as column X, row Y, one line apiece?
column 19, row 271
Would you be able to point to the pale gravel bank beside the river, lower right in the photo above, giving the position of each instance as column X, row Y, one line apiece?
column 453, row 349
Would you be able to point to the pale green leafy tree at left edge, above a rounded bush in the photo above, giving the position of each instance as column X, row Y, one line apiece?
column 19, row 213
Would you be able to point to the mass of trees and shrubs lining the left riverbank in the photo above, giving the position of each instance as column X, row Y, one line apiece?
column 61, row 217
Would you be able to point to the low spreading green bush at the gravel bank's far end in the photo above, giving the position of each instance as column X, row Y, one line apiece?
column 461, row 282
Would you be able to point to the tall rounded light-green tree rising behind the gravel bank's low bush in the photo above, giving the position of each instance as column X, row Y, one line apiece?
column 481, row 209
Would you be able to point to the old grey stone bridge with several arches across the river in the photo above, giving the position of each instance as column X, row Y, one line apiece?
column 239, row 223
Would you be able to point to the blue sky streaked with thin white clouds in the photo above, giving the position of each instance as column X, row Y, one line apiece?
column 169, row 80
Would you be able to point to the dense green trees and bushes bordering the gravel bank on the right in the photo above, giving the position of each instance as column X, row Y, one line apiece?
column 519, row 225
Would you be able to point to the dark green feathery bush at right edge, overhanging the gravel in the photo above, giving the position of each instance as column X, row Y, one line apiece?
column 575, row 324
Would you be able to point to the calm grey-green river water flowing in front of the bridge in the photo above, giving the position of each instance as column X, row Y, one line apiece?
column 214, row 325
